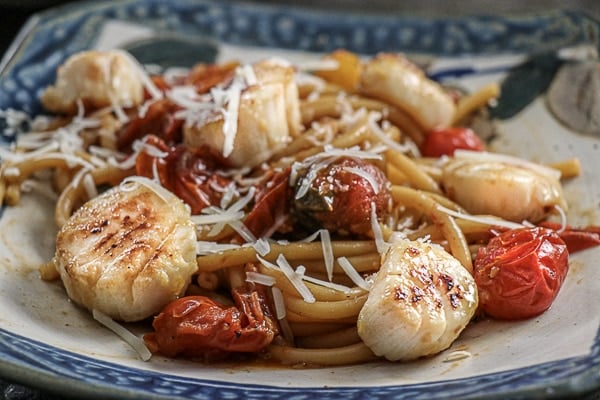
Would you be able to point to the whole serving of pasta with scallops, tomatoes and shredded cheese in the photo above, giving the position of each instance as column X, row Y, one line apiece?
column 331, row 213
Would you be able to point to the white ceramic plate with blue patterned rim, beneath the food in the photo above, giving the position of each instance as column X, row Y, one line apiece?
column 47, row 342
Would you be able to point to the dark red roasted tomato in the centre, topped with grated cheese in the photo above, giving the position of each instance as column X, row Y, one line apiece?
column 338, row 196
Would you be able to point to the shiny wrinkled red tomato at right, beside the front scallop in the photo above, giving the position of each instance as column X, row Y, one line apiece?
column 520, row 272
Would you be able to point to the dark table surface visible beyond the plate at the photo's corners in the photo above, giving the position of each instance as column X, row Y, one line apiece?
column 13, row 15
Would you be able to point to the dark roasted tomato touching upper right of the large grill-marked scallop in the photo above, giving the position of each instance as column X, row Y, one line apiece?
column 189, row 173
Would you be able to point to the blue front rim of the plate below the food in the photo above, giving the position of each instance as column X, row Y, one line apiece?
column 556, row 376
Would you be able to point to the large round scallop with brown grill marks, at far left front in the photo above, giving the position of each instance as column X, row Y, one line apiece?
column 128, row 252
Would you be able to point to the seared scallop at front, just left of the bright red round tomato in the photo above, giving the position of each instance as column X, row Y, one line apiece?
column 420, row 301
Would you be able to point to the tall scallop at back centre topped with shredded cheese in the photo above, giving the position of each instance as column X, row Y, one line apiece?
column 258, row 116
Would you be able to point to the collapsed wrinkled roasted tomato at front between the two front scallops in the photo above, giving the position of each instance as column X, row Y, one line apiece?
column 198, row 327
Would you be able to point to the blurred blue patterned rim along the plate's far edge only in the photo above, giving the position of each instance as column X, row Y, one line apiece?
column 57, row 34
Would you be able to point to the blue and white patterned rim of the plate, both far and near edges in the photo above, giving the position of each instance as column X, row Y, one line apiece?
column 48, row 40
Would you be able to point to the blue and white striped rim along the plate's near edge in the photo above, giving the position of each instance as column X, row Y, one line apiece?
column 79, row 373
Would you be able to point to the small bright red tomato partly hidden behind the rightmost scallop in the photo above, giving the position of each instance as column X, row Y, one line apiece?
column 443, row 142
